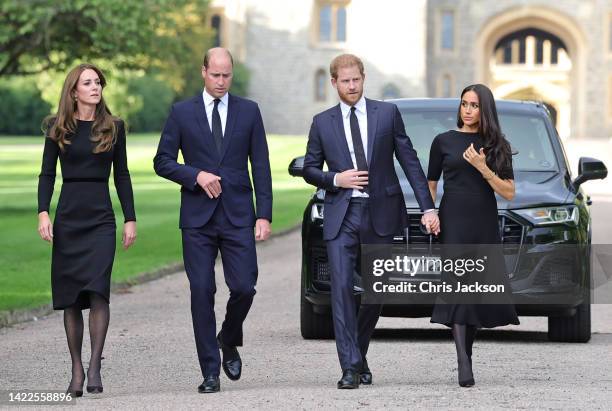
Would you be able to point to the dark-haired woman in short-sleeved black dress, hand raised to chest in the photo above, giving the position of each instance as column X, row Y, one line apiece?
column 476, row 160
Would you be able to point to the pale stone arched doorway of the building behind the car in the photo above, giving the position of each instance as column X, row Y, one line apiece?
column 535, row 53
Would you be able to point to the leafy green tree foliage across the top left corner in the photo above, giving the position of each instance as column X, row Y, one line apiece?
column 38, row 35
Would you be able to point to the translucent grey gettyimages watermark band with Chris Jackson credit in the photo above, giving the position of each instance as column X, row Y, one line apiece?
column 567, row 274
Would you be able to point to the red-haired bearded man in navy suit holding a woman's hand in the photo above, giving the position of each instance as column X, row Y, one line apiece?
column 364, row 203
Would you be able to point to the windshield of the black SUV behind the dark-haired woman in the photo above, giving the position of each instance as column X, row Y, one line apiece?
column 527, row 135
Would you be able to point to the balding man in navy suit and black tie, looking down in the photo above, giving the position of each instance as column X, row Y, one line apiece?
column 218, row 134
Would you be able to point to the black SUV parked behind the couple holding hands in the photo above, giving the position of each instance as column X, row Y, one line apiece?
column 549, row 208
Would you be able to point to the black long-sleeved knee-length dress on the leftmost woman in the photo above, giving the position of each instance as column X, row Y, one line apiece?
column 84, row 228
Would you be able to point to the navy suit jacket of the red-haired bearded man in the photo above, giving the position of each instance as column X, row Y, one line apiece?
column 386, row 137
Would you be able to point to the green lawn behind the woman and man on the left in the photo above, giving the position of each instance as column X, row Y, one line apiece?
column 25, row 259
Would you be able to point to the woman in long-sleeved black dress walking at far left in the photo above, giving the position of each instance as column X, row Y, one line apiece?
column 88, row 140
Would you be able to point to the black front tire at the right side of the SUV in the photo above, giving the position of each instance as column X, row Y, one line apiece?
column 576, row 328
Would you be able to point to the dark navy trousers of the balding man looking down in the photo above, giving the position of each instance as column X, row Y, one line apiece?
column 237, row 247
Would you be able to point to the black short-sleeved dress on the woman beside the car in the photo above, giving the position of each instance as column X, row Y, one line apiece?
column 468, row 216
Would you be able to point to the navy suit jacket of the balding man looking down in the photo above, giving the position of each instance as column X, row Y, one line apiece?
column 187, row 129
